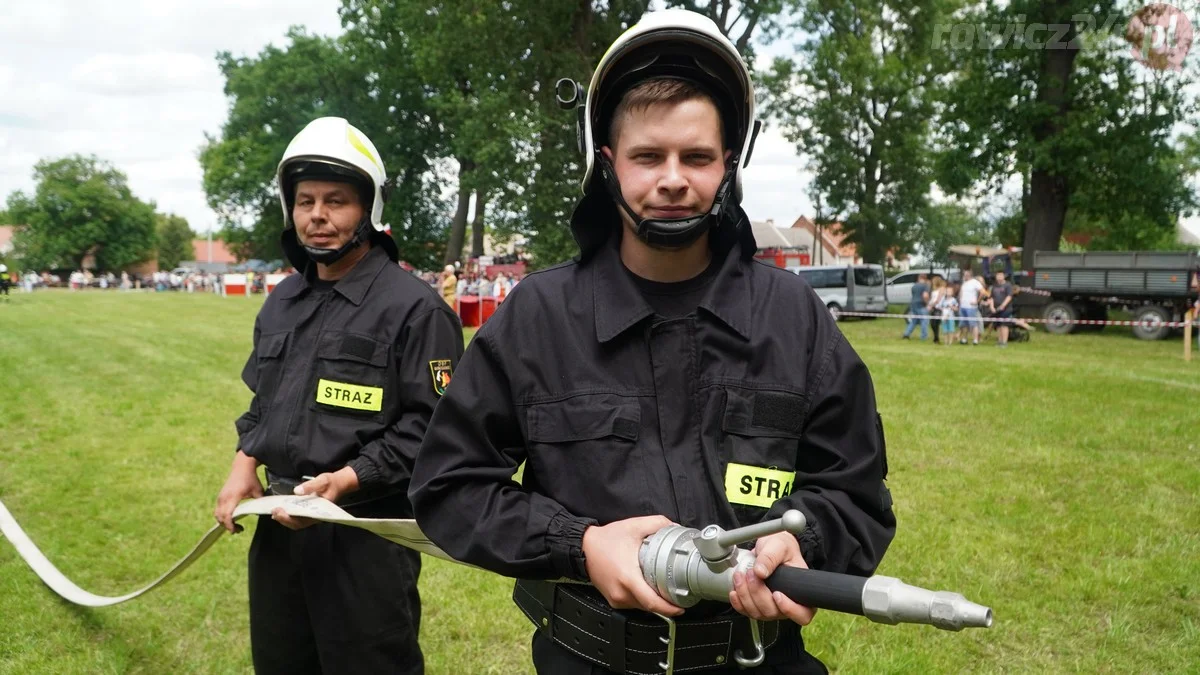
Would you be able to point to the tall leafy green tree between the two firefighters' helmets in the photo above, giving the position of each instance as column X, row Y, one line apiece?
column 483, row 65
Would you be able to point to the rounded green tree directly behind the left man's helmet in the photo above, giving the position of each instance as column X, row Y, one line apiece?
column 277, row 94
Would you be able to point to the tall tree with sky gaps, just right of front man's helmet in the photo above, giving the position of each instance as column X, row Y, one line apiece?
column 857, row 101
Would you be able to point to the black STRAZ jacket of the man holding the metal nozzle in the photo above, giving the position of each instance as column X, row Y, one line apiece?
column 752, row 405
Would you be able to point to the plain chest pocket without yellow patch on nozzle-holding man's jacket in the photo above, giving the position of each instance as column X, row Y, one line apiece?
column 584, row 441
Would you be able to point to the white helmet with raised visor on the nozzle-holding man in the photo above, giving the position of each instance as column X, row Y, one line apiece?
column 675, row 44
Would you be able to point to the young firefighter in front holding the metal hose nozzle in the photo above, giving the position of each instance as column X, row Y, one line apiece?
column 651, row 383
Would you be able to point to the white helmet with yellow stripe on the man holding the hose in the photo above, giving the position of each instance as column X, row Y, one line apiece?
column 333, row 150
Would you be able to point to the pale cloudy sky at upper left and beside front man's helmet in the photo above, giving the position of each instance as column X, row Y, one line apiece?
column 137, row 83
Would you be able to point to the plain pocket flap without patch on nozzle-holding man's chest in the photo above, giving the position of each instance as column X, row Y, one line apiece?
column 584, row 419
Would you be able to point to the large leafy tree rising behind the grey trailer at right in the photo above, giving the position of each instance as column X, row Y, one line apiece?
column 1055, row 103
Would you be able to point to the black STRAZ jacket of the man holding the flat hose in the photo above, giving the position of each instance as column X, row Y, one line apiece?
column 349, row 377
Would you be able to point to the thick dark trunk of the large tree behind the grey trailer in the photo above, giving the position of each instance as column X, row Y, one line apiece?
column 1049, row 192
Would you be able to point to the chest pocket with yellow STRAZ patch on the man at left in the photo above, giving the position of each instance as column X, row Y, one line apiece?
column 351, row 377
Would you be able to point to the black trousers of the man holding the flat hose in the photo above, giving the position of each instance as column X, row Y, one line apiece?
column 333, row 600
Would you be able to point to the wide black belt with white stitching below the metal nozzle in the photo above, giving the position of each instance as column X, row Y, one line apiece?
column 581, row 623
